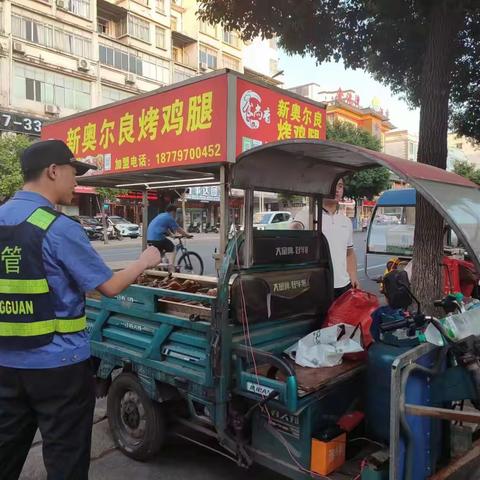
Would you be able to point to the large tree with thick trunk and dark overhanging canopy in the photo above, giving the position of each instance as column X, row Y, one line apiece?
column 426, row 50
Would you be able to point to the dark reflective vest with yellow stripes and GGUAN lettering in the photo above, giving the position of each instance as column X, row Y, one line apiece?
column 27, row 315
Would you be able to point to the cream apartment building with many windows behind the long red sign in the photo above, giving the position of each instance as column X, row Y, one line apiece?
column 58, row 57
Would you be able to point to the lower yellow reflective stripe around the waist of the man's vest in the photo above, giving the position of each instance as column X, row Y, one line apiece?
column 32, row 329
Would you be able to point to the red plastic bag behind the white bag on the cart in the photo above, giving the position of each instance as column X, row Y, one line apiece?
column 354, row 307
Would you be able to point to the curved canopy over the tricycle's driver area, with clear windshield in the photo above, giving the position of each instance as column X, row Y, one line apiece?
column 313, row 167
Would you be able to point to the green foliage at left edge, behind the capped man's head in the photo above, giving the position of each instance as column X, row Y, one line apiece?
column 11, row 180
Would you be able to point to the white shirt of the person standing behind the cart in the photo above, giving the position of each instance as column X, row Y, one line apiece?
column 338, row 230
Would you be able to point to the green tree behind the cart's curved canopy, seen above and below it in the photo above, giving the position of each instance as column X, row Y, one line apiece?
column 367, row 183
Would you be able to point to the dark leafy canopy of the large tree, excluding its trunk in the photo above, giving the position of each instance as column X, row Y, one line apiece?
column 387, row 38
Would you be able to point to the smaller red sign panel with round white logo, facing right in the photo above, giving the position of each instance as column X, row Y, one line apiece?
column 265, row 115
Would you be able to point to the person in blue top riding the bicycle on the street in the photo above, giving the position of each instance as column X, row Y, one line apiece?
column 161, row 226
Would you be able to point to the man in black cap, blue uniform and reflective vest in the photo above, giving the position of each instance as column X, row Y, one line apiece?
column 47, row 264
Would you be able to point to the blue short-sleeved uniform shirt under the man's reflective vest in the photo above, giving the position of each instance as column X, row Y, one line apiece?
column 73, row 268
